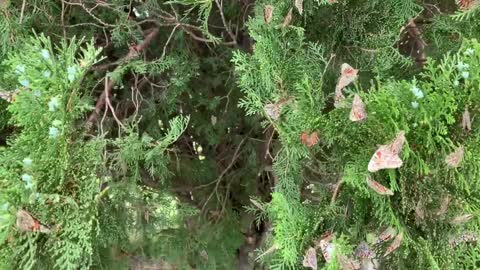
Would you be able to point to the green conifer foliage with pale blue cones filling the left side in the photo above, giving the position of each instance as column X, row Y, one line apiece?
column 57, row 181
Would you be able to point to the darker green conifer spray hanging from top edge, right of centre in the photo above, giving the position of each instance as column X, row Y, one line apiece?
column 363, row 33
